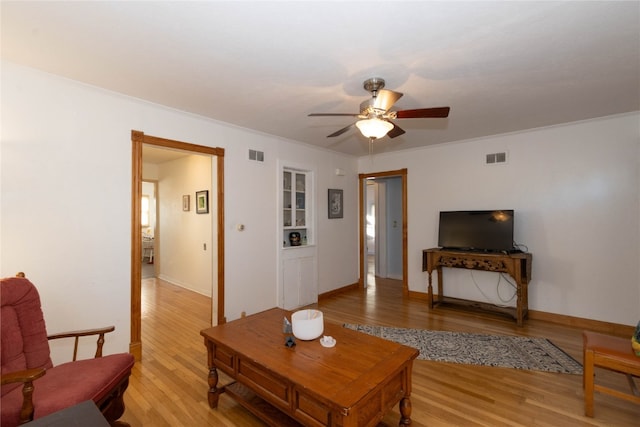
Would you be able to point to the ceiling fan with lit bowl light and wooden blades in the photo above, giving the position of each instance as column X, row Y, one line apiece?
column 375, row 115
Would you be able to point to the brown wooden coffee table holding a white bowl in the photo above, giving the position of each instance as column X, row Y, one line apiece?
column 352, row 384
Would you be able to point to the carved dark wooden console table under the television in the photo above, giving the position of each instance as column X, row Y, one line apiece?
column 517, row 265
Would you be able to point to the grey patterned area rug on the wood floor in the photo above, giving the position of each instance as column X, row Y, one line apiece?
column 538, row 354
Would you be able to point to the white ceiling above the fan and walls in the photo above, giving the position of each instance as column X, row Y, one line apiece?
column 501, row 66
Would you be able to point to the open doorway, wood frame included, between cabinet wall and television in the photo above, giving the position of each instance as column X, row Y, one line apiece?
column 383, row 227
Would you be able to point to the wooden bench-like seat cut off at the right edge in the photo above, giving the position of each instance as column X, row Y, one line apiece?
column 612, row 353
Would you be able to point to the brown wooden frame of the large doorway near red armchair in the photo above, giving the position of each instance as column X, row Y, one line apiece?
column 138, row 138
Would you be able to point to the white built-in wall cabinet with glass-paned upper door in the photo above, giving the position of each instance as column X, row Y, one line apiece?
column 298, row 257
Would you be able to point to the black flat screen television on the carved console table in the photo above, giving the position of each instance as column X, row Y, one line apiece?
column 488, row 231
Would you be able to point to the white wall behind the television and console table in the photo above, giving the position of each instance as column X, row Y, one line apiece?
column 576, row 192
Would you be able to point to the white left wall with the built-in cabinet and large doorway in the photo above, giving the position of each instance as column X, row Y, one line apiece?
column 65, row 214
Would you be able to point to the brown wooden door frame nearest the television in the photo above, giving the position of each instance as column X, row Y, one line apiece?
column 402, row 173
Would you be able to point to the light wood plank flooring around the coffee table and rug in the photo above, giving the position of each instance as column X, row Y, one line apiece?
column 168, row 387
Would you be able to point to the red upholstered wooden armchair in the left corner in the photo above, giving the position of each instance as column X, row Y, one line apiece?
column 31, row 386
